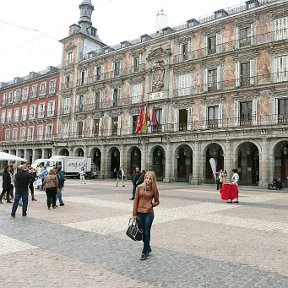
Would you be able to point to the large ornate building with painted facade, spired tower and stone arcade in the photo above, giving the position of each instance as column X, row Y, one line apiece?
column 216, row 85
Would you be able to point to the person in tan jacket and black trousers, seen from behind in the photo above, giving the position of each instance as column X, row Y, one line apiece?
column 50, row 185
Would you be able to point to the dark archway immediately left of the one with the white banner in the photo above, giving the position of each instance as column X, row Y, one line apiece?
column 184, row 163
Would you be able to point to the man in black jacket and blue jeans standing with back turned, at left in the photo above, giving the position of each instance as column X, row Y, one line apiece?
column 22, row 181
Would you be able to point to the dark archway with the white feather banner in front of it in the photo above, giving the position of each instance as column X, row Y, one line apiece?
column 214, row 161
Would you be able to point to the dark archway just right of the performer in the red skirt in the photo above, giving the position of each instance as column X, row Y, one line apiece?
column 248, row 164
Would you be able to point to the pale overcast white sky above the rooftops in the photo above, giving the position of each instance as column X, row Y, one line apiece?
column 30, row 30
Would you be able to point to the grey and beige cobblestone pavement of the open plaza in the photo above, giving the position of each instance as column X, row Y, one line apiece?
column 197, row 240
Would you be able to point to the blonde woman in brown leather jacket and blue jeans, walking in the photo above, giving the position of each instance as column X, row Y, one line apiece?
column 146, row 198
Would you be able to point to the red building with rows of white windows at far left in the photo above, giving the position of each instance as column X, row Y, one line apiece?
column 28, row 114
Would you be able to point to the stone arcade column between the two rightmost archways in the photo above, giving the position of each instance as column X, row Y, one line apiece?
column 264, row 165
